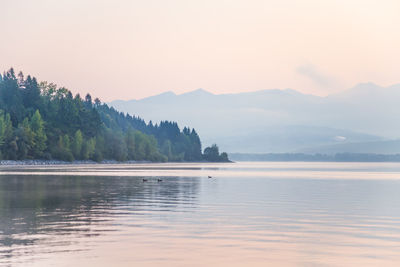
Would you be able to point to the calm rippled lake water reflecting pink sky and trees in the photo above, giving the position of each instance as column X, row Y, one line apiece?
column 247, row 214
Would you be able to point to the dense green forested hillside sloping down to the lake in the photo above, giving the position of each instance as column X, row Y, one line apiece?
column 42, row 121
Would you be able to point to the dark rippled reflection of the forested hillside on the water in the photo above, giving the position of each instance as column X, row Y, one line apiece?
column 35, row 211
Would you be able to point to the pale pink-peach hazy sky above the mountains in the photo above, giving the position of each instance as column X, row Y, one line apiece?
column 125, row 49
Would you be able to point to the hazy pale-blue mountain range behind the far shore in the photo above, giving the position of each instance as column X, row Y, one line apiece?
column 279, row 121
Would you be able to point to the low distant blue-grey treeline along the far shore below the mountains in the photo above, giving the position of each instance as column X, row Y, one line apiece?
column 339, row 157
